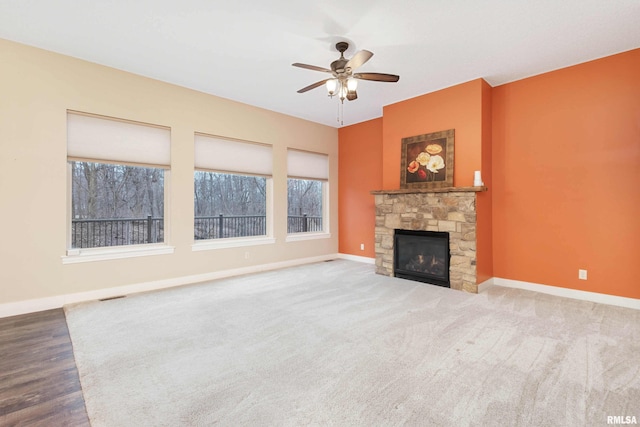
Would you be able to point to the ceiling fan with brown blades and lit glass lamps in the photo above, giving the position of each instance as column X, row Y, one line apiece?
column 344, row 81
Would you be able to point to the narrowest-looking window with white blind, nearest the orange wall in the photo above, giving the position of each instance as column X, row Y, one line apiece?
column 306, row 191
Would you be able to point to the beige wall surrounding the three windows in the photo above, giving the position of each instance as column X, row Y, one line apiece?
column 36, row 90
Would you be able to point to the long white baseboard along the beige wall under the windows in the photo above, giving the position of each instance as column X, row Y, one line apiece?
column 48, row 303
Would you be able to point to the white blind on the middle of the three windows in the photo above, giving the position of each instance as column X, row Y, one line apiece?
column 227, row 155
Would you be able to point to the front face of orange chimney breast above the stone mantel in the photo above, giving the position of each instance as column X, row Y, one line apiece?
column 458, row 107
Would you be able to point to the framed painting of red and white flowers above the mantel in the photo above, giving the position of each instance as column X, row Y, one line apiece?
column 427, row 160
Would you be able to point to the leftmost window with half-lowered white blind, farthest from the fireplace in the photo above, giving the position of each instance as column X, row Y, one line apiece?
column 118, row 170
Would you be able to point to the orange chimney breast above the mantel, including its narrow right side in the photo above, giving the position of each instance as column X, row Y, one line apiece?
column 467, row 109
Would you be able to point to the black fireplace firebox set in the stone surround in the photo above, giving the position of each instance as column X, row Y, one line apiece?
column 422, row 256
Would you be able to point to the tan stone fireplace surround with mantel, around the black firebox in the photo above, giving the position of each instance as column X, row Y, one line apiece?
column 453, row 212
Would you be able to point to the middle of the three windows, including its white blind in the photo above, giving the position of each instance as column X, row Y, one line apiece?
column 231, row 188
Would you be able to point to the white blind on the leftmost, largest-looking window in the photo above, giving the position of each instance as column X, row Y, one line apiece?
column 98, row 138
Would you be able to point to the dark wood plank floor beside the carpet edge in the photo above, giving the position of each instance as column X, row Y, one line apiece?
column 39, row 384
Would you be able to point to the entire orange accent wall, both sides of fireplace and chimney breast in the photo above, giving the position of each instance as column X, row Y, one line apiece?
column 560, row 154
